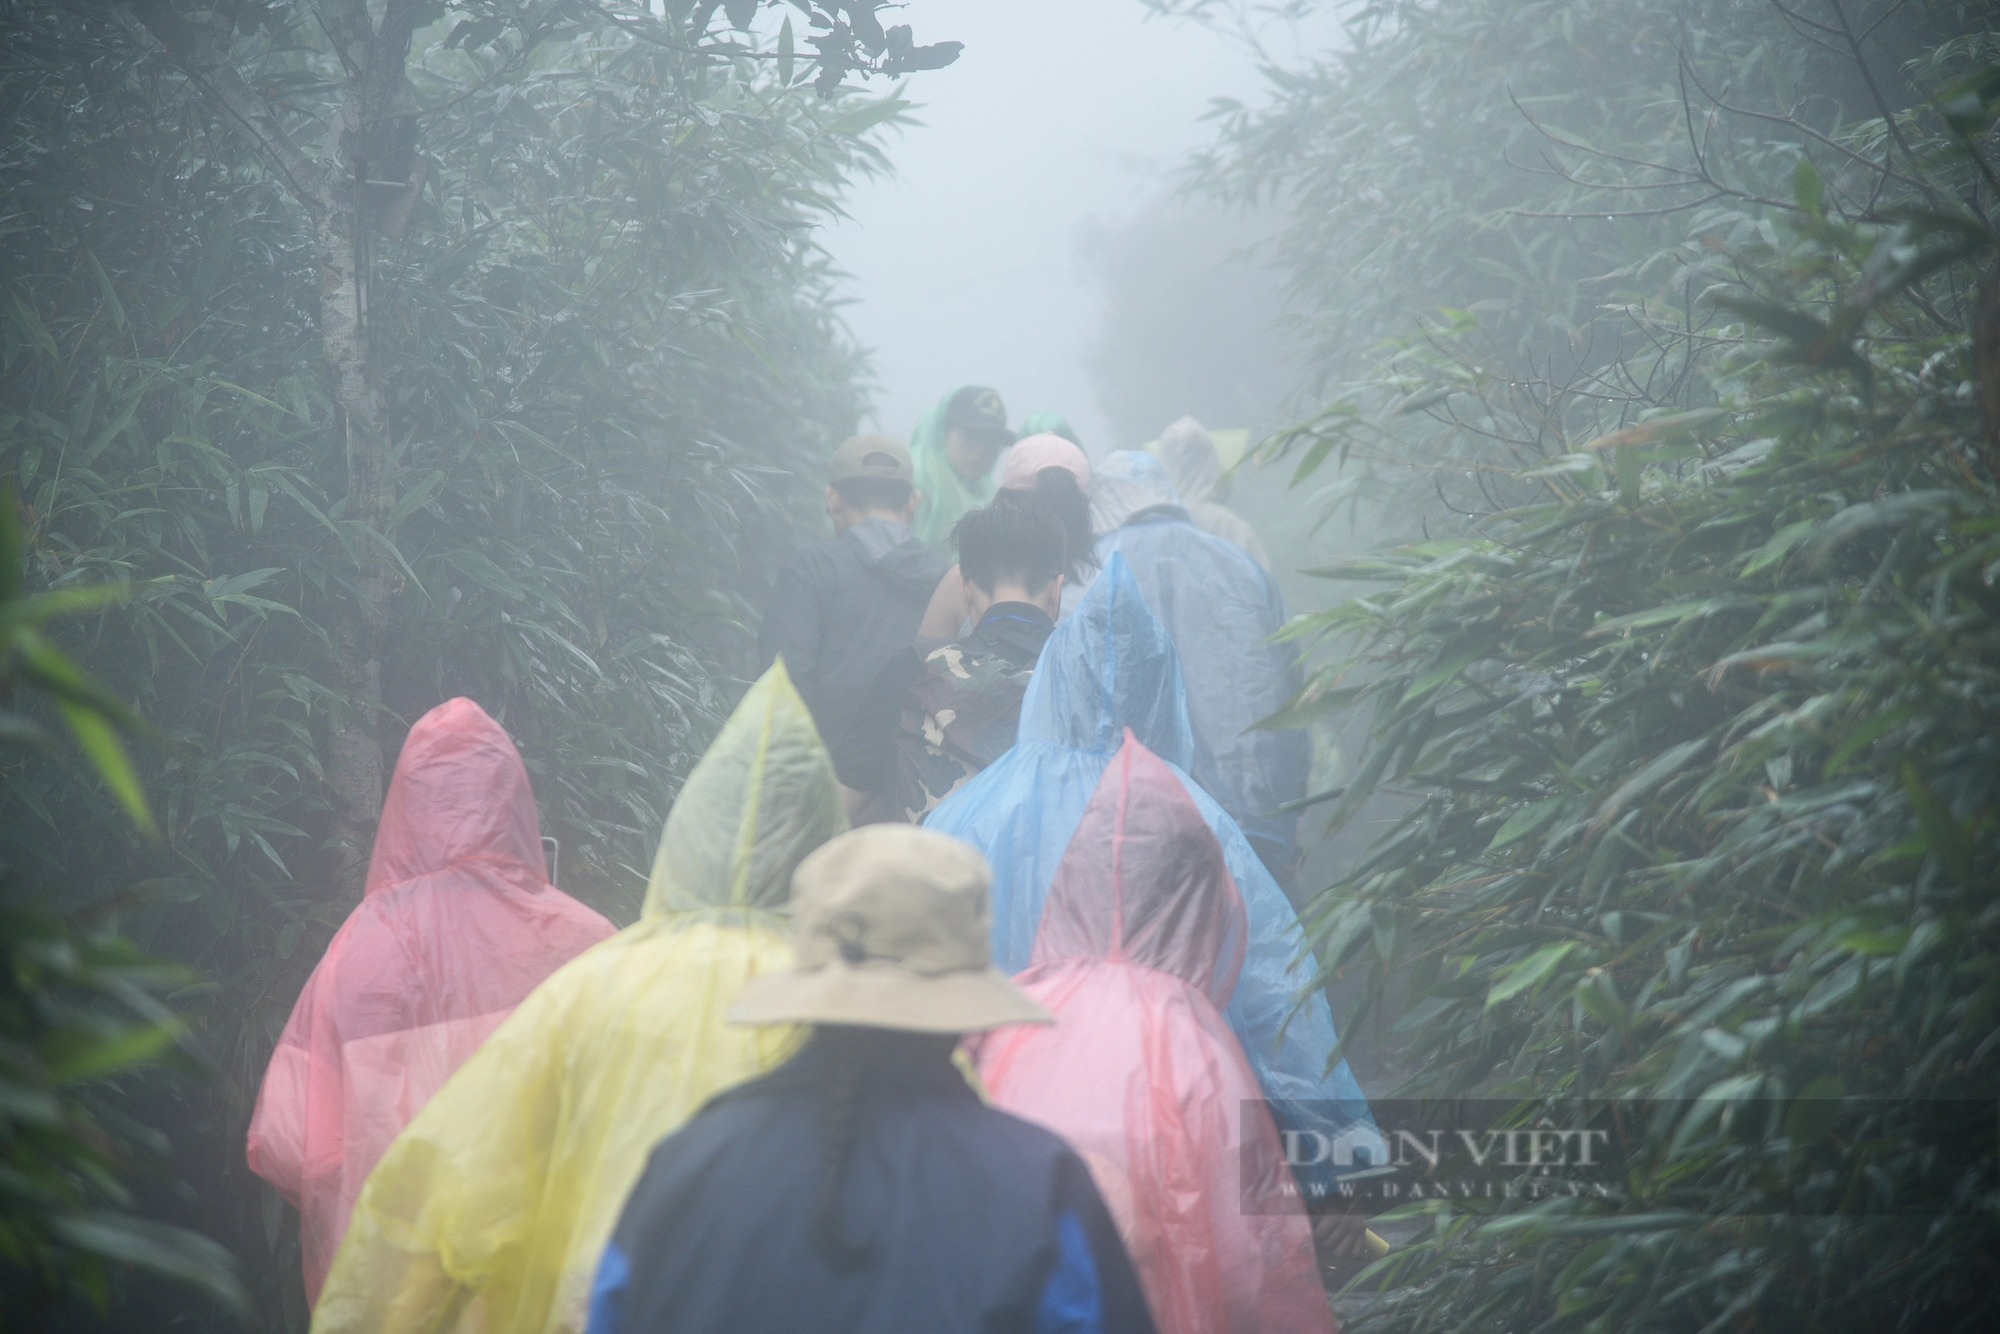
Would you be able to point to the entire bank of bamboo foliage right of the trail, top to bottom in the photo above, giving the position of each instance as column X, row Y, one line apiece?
column 1695, row 711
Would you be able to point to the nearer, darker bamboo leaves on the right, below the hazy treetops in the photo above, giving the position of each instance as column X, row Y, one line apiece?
column 1699, row 731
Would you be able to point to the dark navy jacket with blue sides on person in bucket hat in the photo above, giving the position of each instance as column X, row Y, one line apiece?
column 973, row 1219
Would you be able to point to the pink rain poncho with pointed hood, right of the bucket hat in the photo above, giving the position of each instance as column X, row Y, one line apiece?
column 1137, row 957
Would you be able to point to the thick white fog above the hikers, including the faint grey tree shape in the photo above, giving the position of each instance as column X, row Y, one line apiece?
column 1031, row 233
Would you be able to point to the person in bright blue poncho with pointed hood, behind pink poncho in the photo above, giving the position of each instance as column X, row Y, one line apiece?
column 1107, row 669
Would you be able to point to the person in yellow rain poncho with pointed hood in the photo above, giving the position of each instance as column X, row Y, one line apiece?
column 501, row 1195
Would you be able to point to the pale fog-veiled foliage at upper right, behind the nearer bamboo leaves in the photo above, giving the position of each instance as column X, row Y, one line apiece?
column 1489, row 209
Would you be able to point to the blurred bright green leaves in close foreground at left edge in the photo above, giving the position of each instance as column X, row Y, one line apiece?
column 77, row 1007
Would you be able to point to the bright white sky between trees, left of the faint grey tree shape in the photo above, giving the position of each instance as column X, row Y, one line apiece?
column 965, row 261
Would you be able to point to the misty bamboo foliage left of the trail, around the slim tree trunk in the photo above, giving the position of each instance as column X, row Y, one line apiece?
column 603, row 337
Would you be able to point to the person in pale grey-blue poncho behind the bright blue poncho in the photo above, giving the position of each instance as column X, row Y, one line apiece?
column 1221, row 609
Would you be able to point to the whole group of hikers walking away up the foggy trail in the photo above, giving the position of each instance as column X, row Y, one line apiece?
column 967, row 991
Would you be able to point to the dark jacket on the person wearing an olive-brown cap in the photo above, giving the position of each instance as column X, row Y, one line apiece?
column 839, row 613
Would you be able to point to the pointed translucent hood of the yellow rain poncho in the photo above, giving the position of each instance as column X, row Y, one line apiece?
column 753, row 809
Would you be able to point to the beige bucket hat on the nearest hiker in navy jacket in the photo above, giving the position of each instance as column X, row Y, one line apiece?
column 891, row 929
